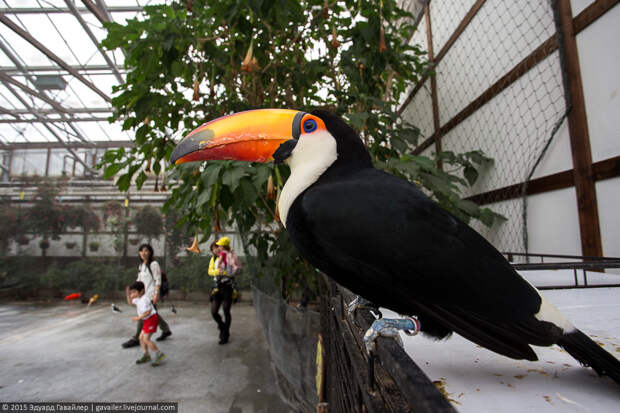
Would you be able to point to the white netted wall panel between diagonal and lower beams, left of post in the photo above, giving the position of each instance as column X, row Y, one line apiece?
column 513, row 128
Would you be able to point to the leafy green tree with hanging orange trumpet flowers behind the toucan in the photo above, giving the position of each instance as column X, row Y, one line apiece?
column 195, row 60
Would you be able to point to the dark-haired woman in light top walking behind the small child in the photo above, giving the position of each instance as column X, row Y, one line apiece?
column 149, row 273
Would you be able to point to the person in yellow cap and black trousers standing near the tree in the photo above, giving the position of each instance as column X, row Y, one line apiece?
column 224, row 265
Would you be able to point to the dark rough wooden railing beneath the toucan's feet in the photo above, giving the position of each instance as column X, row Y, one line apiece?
column 353, row 381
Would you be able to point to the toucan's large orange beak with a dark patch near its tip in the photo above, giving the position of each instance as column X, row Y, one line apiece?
column 245, row 136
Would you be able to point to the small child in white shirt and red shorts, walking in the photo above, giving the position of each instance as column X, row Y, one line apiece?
column 146, row 312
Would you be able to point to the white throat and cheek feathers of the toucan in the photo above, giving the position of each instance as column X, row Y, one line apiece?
column 313, row 154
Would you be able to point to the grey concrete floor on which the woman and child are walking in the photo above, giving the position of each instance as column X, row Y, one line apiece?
column 63, row 352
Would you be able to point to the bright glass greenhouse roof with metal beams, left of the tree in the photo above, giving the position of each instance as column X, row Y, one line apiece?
column 55, row 82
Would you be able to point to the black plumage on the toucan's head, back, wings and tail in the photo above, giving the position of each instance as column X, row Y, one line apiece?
column 383, row 238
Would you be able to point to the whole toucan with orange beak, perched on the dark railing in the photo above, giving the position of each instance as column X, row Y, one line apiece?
column 381, row 237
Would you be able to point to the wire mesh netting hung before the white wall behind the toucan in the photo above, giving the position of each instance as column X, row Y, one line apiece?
column 515, row 126
